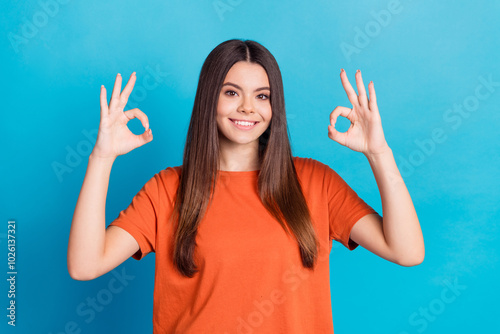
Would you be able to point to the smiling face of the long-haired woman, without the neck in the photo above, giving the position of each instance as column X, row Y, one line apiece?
column 244, row 108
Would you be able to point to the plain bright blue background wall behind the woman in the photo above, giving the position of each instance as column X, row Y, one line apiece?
column 425, row 59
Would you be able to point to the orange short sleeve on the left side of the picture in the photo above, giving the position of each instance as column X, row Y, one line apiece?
column 141, row 216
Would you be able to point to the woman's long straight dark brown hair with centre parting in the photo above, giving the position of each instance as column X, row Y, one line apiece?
column 278, row 184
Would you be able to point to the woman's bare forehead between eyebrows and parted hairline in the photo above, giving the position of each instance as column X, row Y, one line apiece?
column 247, row 74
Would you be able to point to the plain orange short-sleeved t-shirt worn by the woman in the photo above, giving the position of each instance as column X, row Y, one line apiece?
column 251, row 278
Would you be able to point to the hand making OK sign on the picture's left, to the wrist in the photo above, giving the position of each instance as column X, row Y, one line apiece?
column 114, row 137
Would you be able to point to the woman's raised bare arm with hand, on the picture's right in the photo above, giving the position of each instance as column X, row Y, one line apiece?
column 397, row 237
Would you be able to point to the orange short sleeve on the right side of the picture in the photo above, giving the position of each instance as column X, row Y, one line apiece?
column 345, row 208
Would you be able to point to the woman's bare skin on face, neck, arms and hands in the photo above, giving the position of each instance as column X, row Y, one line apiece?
column 94, row 250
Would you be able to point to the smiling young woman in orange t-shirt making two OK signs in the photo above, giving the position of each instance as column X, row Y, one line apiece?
column 242, row 230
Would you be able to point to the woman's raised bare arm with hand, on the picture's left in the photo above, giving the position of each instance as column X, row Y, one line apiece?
column 92, row 249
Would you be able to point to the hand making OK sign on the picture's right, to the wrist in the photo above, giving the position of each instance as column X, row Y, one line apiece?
column 365, row 133
